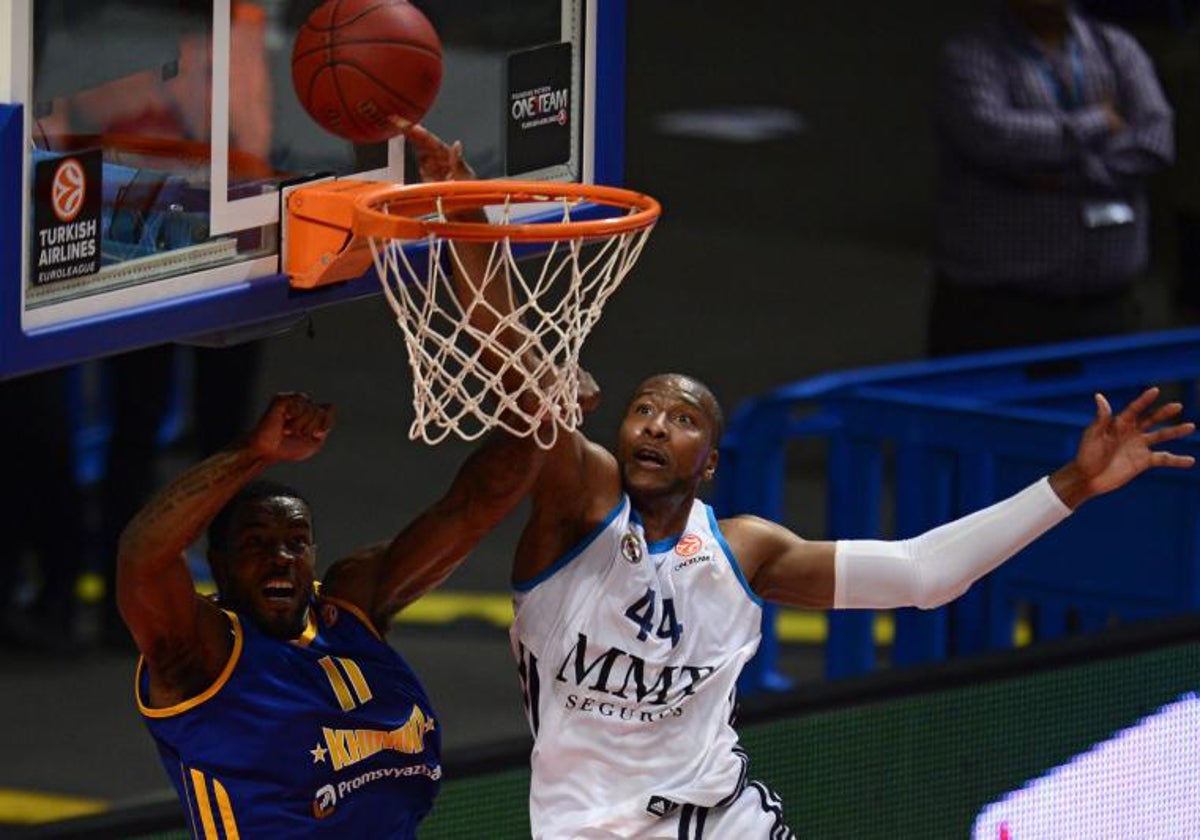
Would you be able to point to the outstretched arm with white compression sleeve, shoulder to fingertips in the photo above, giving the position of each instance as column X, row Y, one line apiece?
column 939, row 566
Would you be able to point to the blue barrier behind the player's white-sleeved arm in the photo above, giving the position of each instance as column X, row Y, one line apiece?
column 943, row 439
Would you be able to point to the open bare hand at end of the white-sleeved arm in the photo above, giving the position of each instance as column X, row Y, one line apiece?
column 1115, row 449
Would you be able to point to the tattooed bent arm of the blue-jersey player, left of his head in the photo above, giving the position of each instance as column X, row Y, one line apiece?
column 184, row 638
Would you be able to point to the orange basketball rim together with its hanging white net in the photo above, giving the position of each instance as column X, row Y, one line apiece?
column 496, row 311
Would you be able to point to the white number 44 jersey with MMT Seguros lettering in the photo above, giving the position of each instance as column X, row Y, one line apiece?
column 629, row 657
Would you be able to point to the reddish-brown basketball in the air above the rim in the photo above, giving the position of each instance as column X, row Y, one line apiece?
column 359, row 65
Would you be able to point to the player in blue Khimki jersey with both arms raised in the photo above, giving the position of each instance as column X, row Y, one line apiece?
column 279, row 710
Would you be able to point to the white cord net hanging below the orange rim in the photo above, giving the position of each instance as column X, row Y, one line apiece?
column 553, row 298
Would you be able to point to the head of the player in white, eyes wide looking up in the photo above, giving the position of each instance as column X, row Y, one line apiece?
column 668, row 439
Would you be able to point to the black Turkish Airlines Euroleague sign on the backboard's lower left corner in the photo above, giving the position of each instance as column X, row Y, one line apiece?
column 67, row 218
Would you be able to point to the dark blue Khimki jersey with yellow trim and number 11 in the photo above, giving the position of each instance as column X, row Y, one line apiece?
column 331, row 734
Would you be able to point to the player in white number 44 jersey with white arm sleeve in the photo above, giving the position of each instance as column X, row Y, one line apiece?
column 637, row 609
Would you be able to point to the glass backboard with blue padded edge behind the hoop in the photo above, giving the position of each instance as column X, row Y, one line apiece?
column 145, row 146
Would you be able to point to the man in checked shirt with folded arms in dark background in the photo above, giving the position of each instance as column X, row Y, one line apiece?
column 1049, row 124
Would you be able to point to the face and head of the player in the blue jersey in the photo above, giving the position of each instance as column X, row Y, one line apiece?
column 267, row 569
